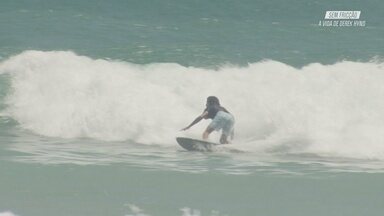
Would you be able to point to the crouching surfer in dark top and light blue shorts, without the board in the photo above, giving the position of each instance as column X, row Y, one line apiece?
column 221, row 120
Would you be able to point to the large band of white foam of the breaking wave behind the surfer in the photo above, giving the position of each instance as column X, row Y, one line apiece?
column 324, row 109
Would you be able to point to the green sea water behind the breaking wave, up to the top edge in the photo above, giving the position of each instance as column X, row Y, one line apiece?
column 198, row 33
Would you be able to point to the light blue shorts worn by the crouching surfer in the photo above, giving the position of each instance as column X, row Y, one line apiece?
column 224, row 121
